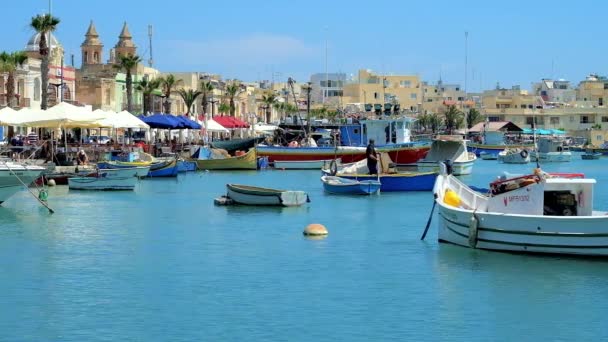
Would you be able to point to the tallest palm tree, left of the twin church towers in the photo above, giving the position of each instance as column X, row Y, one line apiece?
column 44, row 24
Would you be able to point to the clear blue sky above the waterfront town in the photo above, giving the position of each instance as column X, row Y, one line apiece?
column 511, row 42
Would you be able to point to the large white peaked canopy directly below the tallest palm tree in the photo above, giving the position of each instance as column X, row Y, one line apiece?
column 63, row 115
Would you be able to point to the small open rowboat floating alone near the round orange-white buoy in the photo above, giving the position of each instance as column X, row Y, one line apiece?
column 253, row 195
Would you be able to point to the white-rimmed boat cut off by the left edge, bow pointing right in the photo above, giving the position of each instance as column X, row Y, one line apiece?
column 15, row 177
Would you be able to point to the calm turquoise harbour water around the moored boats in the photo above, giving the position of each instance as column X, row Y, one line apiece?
column 164, row 264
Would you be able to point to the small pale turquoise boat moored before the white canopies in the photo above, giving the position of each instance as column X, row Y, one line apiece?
column 106, row 179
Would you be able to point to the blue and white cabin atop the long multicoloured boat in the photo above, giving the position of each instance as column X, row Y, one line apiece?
column 384, row 132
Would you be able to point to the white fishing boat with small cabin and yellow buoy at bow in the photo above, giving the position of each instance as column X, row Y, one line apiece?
column 537, row 213
